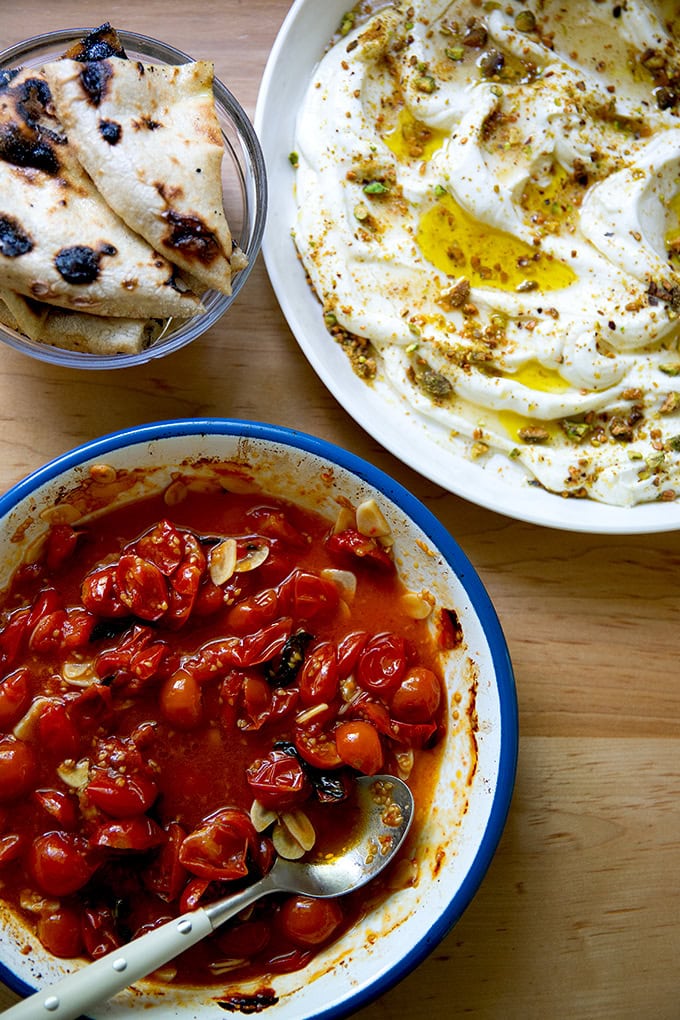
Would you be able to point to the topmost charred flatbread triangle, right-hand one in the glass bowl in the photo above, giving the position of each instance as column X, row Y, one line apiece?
column 150, row 139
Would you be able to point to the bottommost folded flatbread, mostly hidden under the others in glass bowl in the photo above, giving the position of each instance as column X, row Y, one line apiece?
column 77, row 331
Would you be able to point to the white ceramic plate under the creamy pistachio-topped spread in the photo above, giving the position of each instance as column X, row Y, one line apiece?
column 301, row 43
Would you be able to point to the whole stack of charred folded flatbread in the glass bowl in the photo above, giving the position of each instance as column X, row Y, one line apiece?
column 112, row 215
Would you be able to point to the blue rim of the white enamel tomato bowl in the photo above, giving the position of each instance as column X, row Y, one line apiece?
column 463, row 570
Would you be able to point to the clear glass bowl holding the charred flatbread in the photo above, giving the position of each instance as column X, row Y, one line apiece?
column 244, row 189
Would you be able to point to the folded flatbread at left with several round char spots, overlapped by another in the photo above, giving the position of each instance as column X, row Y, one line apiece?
column 61, row 242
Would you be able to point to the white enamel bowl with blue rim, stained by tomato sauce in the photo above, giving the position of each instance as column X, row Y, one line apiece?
column 455, row 848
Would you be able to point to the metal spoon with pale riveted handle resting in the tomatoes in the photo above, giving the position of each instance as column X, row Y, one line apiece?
column 387, row 808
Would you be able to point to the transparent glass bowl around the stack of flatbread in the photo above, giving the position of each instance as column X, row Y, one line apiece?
column 218, row 304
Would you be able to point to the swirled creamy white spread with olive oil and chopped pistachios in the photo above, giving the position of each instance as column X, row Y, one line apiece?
column 490, row 195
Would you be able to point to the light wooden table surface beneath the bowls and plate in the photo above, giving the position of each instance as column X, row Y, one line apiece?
column 580, row 913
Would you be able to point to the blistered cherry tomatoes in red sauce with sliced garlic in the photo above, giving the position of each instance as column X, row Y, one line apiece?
column 149, row 695
